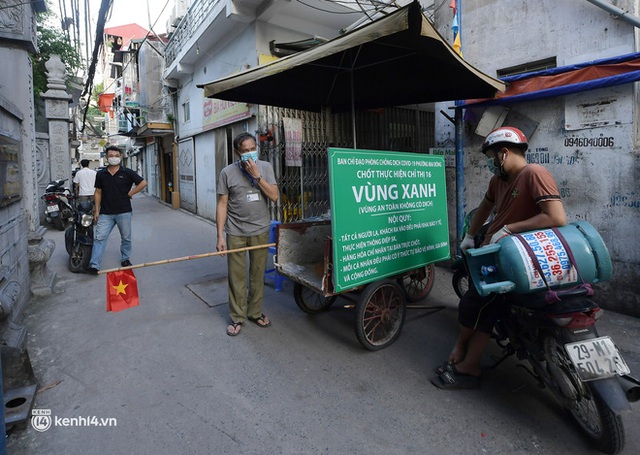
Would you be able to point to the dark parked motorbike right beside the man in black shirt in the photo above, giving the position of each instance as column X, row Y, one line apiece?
column 78, row 237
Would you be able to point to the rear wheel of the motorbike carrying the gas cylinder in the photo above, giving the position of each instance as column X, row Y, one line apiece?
column 602, row 426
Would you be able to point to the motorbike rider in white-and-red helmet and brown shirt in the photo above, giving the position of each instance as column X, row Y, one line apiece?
column 525, row 197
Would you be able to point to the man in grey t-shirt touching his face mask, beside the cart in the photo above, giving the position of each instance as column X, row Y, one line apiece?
column 245, row 188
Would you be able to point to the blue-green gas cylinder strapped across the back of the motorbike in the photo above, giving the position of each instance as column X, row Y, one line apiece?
column 506, row 266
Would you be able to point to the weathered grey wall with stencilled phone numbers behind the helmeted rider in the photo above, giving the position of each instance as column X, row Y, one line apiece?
column 587, row 140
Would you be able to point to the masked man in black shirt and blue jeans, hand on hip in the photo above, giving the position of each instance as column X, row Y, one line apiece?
column 114, row 190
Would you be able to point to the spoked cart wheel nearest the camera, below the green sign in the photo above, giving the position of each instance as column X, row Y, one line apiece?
column 380, row 314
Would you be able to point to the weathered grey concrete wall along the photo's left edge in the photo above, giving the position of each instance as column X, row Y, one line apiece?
column 18, row 219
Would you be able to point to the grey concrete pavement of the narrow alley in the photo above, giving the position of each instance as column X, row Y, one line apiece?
column 165, row 378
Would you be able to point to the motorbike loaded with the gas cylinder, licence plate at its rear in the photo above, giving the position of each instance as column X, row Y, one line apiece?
column 559, row 341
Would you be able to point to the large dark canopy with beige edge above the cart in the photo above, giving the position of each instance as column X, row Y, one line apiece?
column 397, row 60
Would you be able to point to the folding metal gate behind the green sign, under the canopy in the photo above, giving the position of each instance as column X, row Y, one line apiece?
column 304, row 191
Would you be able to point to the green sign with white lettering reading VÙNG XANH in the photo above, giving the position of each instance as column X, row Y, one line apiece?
column 388, row 214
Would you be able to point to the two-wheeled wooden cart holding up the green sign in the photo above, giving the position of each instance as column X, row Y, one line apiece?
column 304, row 255
